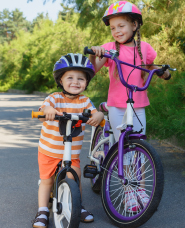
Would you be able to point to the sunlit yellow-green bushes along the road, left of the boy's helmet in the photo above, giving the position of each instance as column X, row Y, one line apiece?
column 28, row 61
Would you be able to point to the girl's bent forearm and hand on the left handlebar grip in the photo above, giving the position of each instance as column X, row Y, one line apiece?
column 97, row 62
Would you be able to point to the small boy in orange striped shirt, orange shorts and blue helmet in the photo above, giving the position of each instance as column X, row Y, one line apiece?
column 72, row 74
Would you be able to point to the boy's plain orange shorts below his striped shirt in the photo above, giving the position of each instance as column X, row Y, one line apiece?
column 48, row 165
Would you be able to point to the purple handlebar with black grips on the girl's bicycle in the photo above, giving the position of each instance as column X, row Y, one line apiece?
column 113, row 54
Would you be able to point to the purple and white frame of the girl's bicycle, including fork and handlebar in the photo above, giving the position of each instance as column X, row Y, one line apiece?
column 127, row 123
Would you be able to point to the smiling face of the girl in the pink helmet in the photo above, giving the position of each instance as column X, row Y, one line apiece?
column 122, row 29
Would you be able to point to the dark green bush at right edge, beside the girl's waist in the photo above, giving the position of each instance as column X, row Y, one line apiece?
column 165, row 115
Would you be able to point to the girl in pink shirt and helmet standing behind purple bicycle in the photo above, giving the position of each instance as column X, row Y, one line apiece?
column 125, row 20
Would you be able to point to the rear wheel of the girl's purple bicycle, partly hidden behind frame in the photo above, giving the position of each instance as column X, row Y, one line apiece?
column 100, row 154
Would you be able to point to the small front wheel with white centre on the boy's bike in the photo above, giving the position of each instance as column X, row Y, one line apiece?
column 69, row 196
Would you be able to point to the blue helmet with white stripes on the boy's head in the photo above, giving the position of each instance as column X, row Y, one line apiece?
column 73, row 62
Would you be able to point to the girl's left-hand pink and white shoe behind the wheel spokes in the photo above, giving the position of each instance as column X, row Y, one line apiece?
column 131, row 203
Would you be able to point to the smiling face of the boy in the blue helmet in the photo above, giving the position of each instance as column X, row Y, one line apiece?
column 74, row 81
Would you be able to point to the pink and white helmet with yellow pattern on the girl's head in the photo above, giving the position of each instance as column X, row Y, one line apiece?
column 122, row 7
